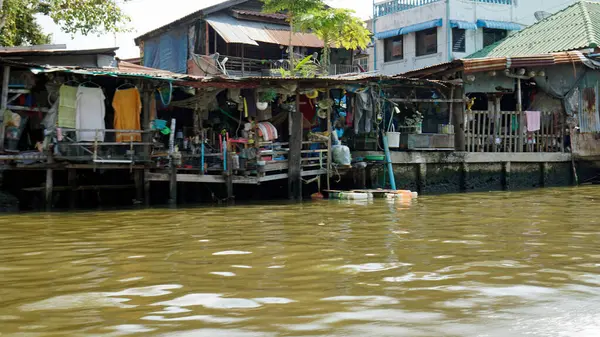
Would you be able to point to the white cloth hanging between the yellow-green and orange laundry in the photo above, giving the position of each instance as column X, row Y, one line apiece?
column 90, row 114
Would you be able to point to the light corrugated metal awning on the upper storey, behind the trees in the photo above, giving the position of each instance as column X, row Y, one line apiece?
column 233, row 30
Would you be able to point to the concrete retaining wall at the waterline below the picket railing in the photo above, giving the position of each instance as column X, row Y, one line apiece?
column 433, row 173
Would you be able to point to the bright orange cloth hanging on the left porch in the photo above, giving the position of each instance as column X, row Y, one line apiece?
column 128, row 106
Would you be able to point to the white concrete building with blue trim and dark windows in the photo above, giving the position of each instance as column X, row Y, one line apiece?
column 412, row 34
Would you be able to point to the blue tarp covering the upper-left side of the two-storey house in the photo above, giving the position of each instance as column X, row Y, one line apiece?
column 168, row 51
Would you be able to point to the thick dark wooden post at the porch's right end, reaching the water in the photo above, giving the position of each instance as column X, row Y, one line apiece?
column 295, row 154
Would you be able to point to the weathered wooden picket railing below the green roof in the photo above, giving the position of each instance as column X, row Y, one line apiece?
column 506, row 132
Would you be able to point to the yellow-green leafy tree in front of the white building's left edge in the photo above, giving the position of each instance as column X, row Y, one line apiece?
column 337, row 27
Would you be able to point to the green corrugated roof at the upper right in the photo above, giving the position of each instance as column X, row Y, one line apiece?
column 575, row 27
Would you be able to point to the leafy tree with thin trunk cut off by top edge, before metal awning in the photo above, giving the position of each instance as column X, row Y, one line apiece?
column 294, row 10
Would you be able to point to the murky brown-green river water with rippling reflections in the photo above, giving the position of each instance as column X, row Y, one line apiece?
column 498, row 264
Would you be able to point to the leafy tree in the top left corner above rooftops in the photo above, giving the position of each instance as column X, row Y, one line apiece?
column 18, row 24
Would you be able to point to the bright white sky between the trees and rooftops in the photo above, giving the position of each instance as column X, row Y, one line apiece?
column 148, row 15
